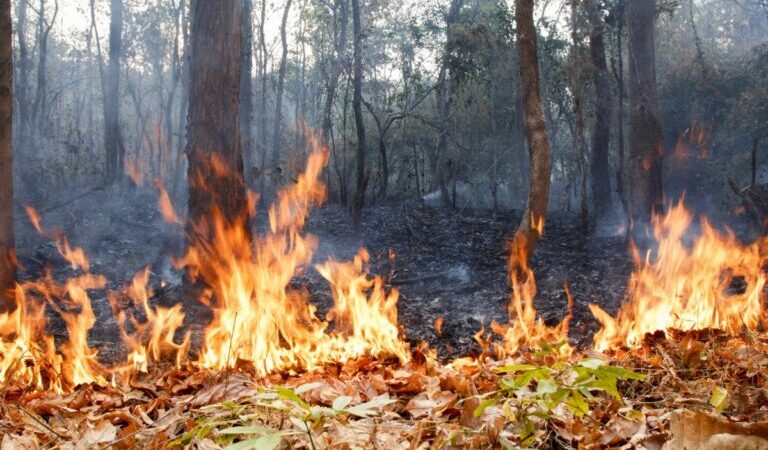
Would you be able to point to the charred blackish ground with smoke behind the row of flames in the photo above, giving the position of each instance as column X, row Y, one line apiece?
column 449, row 264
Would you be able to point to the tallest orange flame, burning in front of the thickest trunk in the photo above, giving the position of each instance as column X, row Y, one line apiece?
column 259, row 318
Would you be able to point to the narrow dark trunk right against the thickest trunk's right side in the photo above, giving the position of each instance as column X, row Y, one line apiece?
column 246, row 88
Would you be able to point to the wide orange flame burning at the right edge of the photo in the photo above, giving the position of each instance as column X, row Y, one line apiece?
column 688, row 288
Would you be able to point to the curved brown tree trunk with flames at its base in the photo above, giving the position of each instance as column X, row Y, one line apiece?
column 527, row 234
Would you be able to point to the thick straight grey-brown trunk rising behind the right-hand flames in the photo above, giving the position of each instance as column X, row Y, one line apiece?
column 645, row 135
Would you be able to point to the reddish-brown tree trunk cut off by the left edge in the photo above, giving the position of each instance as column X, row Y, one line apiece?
column 7, row 253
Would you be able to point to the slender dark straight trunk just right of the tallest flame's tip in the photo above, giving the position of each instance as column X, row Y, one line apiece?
column 357, row 104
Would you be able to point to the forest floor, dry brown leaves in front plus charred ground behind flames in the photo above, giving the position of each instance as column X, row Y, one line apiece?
column 700, row 389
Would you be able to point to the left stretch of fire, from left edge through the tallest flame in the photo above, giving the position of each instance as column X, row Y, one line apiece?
column 258, row 318
